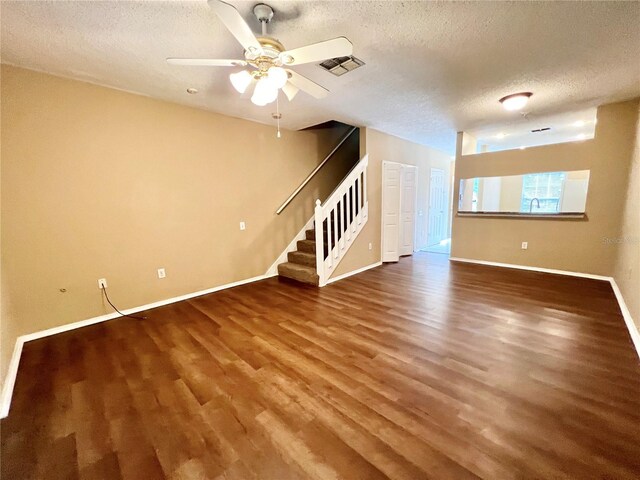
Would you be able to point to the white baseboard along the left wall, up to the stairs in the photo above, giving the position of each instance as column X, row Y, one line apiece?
column 10, row 378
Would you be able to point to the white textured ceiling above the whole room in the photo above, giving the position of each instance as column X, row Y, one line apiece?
column 432, row 68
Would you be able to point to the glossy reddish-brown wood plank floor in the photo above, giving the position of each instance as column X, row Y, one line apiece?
column 415, row 370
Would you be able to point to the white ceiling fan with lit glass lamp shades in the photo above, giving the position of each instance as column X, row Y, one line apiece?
column 267, row 58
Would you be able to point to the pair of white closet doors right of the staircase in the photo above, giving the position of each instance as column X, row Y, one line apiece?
column 399, row 197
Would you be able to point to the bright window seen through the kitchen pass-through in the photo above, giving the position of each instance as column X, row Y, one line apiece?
column 541, row 192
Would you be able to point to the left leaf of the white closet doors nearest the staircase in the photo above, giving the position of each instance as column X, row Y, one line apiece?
column 390, row 211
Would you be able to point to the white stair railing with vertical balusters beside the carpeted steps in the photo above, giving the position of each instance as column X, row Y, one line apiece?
column 340, row 219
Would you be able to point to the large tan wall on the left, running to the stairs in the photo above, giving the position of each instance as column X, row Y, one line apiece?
column 101, row 183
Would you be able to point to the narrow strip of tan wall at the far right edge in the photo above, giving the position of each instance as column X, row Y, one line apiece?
column 627, row 266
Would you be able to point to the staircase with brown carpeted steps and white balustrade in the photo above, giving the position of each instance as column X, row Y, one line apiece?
column 337, row 221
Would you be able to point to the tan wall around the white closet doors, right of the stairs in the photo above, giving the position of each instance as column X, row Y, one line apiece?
column 380, row 147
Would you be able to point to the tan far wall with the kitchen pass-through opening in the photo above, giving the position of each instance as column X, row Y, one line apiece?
column 559, row 244
